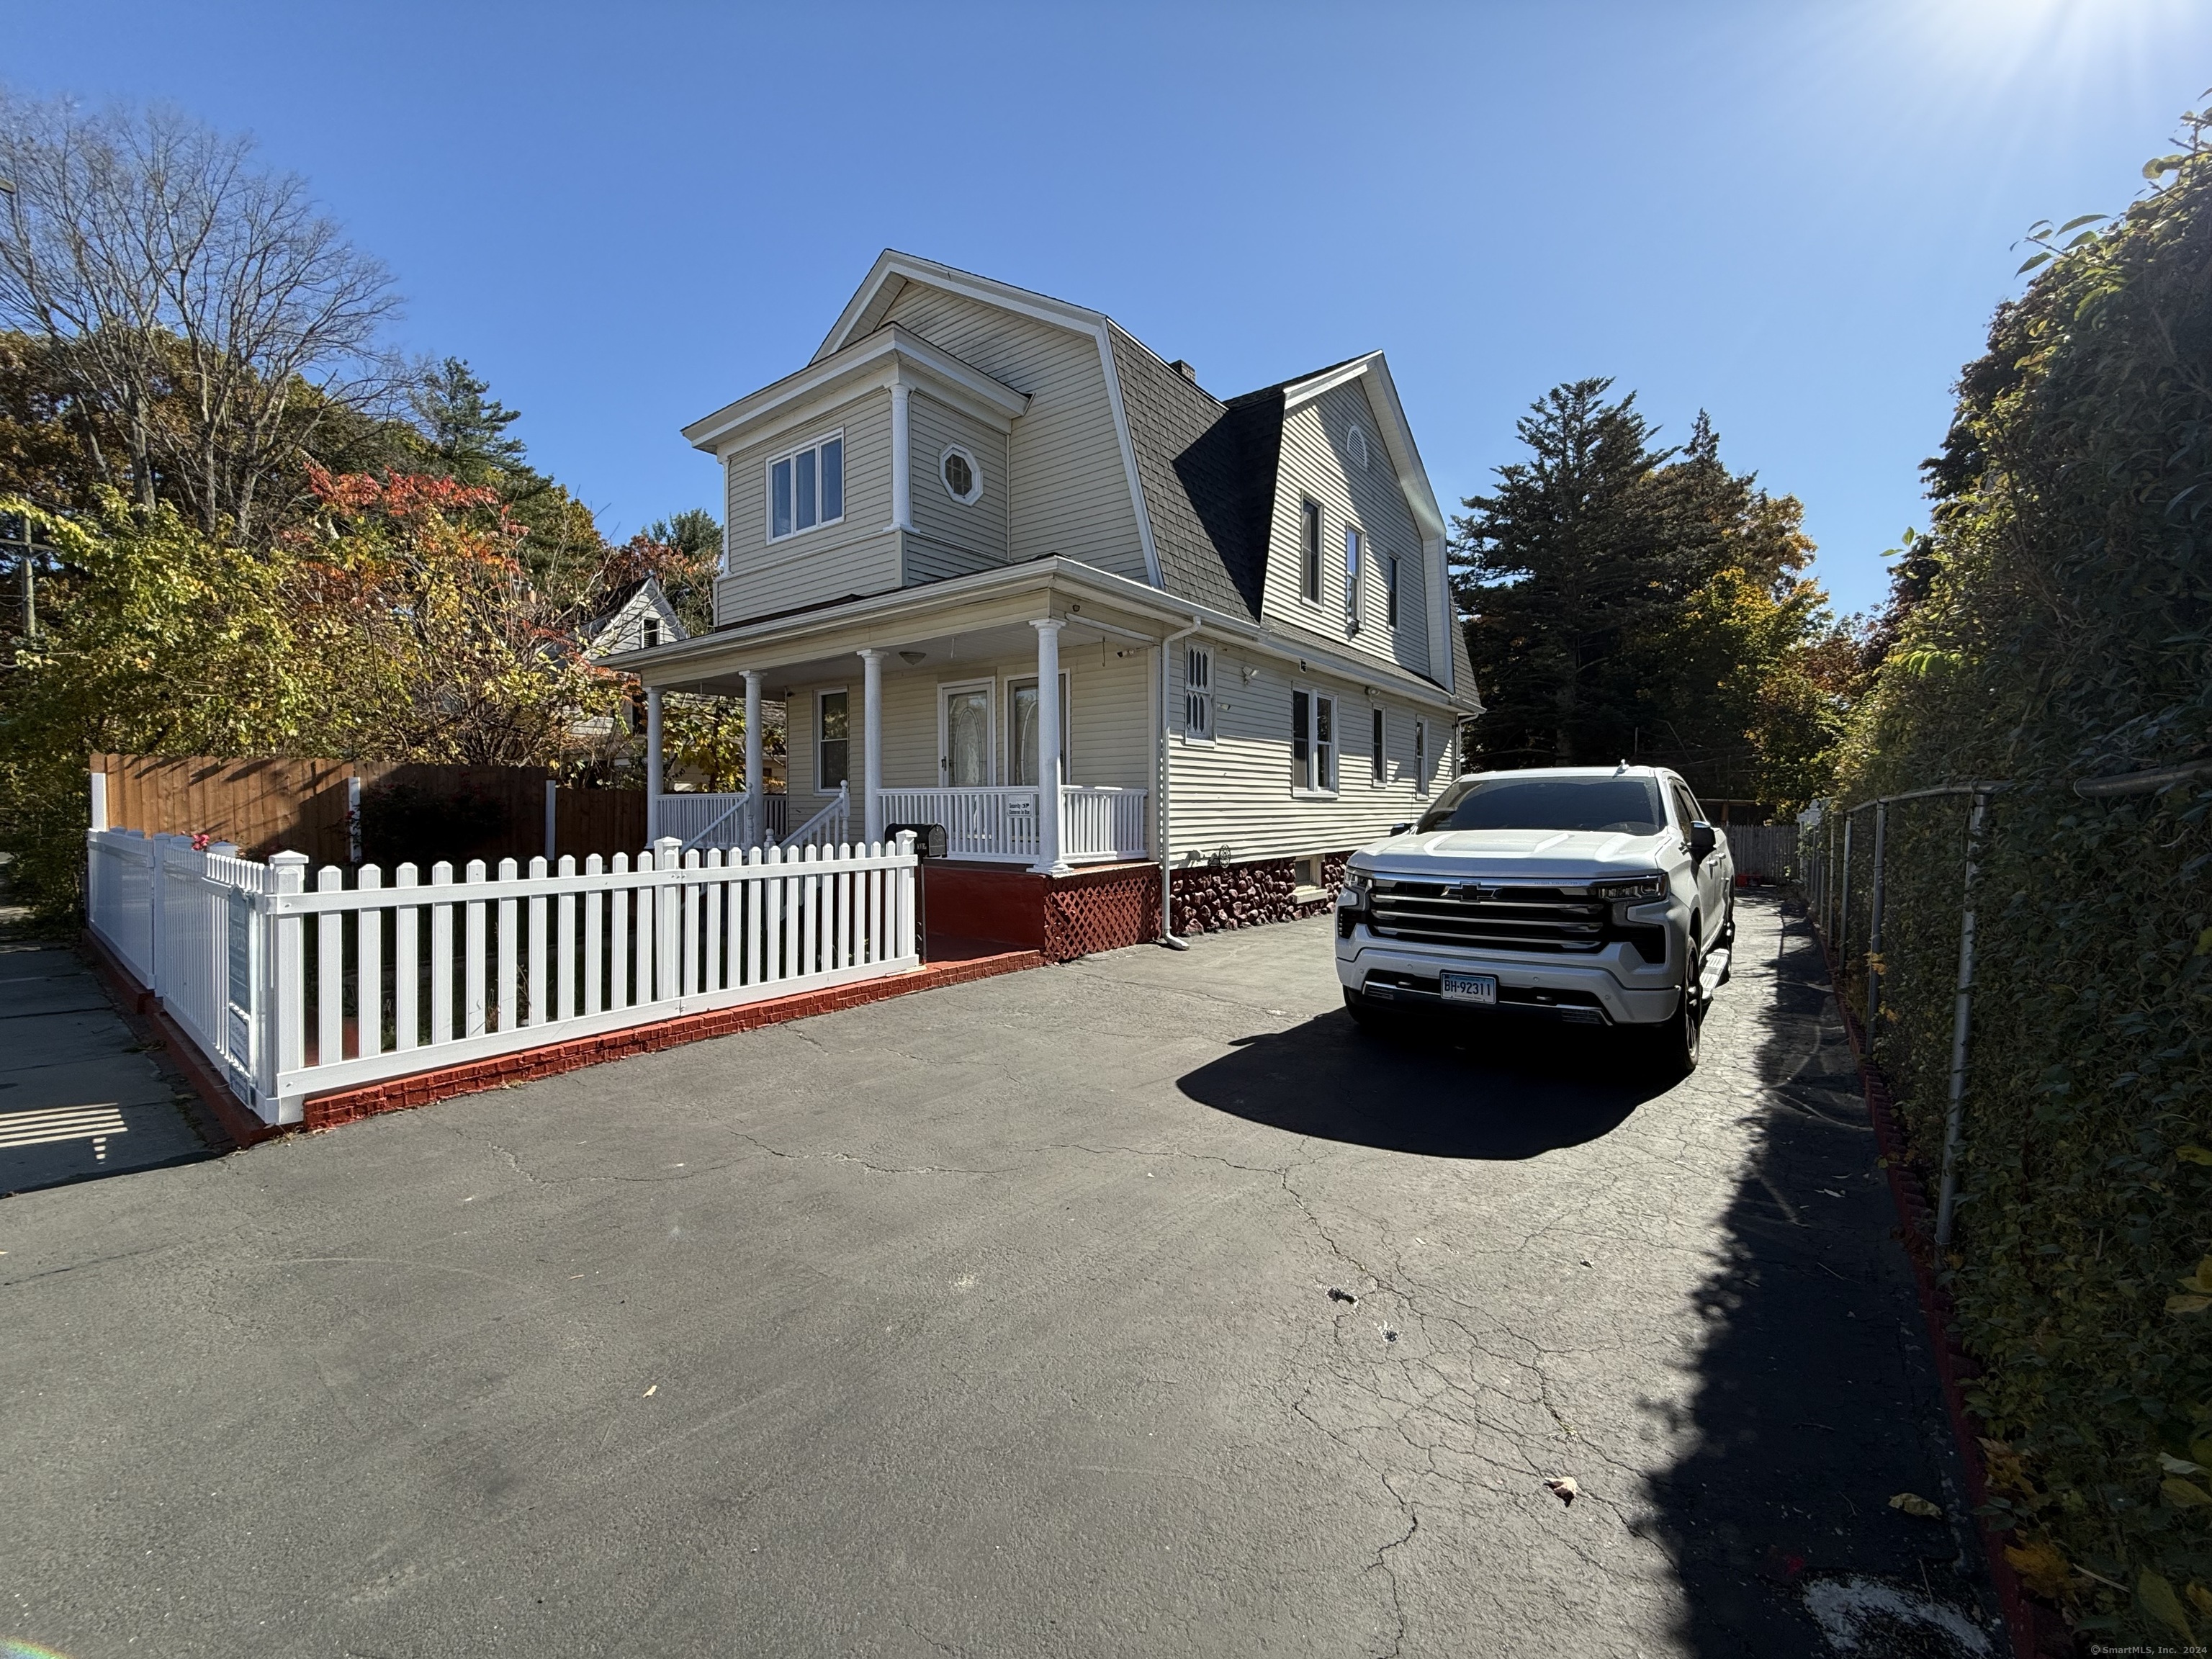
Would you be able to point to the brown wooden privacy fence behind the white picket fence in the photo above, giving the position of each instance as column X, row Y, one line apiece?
column 379, row 811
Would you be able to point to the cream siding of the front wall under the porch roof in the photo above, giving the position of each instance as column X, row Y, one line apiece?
column 1109, row 722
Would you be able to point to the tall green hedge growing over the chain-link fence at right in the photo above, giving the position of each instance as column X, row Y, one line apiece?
column 2067, row 638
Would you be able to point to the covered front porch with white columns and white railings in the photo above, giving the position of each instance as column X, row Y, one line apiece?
column 932, row 716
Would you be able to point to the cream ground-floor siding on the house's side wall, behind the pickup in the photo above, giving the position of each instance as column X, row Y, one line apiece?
column 1233, row 797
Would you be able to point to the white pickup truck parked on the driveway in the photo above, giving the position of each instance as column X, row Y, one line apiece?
column 1592, row 897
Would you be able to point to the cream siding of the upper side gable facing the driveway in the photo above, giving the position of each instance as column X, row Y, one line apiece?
column 1317, row 466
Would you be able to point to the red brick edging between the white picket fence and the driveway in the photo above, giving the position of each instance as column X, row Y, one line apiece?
column 477, row 1076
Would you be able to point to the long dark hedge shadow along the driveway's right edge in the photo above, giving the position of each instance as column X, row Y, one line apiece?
column 1815, row 1397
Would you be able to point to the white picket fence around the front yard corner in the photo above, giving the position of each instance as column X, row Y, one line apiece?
column 298, row 990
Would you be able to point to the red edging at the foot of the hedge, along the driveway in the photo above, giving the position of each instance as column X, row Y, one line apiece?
column 2036, row 1629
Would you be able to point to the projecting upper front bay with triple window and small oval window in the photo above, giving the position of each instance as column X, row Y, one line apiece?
column 875, row 468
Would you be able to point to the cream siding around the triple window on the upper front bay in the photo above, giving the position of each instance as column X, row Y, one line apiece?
column 831, row 563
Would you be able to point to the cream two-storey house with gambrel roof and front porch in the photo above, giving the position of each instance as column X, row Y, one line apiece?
column 974, row 492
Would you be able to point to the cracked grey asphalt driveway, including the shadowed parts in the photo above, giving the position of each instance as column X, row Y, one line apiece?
column 1138, row 1306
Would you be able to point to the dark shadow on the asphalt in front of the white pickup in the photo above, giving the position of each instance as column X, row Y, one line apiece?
column 1479, row 1089
